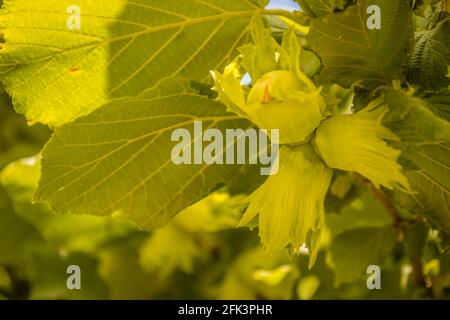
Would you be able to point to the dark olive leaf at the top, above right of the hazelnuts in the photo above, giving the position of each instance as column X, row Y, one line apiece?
column 352, row 53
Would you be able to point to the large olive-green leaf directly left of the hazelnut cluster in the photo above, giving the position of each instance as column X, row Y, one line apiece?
column 118, row 159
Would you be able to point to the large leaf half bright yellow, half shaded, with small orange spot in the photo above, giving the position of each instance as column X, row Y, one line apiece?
column 122, row 48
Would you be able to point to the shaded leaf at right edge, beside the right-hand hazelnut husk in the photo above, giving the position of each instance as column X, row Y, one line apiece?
column 426, row 154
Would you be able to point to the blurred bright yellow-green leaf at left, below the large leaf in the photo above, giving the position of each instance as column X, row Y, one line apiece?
column 78, row 233
